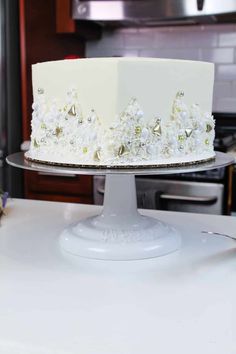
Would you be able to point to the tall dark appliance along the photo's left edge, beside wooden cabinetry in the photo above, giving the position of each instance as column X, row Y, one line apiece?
column 10, row 99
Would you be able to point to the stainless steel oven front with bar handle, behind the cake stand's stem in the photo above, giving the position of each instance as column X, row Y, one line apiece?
column 176, row 195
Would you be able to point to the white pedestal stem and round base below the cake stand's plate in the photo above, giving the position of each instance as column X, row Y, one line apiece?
column 120, row 232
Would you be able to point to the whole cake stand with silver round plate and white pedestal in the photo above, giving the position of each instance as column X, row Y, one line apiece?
column 120, row 232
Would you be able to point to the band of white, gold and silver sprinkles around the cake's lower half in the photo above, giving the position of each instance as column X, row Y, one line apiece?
column 129, row 138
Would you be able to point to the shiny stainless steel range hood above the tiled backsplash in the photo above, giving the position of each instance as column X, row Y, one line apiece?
column 153, row 12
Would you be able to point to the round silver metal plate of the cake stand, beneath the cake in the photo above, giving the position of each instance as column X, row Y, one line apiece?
column 18, row 160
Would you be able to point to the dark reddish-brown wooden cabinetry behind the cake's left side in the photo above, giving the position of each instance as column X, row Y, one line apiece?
column 41, row 41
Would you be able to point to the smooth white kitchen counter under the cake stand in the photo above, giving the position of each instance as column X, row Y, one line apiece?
column 53, row 302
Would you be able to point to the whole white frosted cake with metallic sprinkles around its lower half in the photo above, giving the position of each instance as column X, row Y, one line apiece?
column 122, row 112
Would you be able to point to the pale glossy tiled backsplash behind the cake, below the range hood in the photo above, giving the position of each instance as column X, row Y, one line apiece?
column 215, row 43
